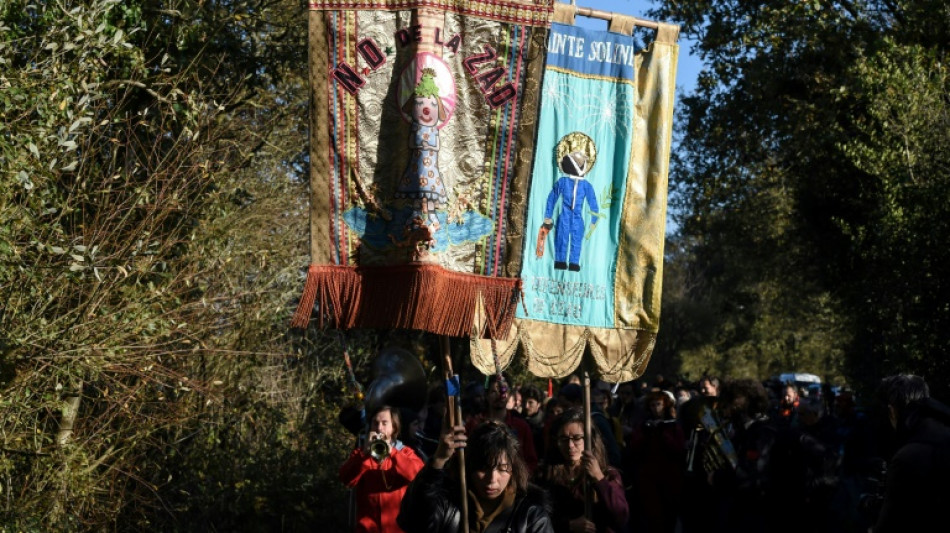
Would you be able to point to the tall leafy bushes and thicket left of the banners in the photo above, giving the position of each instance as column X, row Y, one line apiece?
column 153, row 225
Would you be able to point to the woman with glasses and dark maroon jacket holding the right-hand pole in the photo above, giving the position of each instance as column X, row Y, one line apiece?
column 569, row 466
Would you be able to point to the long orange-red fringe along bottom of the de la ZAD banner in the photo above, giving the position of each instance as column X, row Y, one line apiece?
column 416, row 296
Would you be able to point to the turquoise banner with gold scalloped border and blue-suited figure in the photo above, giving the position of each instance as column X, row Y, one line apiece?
column 593, row 260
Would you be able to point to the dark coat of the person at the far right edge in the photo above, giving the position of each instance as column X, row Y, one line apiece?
column 917, row 492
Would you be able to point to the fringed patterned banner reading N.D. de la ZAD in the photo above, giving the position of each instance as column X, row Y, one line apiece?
column 423, row 119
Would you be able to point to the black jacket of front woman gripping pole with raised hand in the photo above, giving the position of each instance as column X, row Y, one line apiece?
column 431, row 505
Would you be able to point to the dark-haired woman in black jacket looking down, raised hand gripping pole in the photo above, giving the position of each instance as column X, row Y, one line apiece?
column 500, row 498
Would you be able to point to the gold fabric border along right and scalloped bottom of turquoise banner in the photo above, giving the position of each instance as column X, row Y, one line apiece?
column 621, row 353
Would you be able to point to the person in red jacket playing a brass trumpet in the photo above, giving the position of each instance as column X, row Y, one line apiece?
column 380, row 480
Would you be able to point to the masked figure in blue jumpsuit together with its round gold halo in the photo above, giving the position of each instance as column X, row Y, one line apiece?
column 576, row 155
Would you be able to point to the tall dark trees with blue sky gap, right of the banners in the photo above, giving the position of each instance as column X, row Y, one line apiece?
column 810, row 186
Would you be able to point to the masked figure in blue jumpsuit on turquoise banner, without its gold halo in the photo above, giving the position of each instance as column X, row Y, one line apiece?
column 572, row 190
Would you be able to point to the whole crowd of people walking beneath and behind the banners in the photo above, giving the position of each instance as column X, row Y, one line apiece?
column 735, row 455
